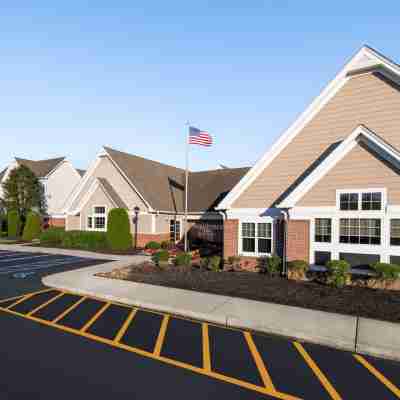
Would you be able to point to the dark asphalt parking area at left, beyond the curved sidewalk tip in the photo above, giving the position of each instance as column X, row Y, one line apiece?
column 21, row 272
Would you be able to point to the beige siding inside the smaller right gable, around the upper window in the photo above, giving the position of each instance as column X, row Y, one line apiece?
column 358, row 170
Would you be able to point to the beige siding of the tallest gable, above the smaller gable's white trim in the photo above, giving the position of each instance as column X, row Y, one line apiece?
column 365, row 99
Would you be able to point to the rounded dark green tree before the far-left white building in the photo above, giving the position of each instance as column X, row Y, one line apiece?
column 23, row 192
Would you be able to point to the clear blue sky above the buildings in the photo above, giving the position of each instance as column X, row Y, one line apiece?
column 76, row 75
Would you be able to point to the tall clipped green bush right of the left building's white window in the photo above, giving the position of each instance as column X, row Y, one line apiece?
column 119, row 235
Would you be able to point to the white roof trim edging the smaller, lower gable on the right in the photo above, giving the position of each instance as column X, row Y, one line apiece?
column 360, row 134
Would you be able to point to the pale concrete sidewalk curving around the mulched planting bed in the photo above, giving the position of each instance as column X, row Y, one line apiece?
column 351, row 333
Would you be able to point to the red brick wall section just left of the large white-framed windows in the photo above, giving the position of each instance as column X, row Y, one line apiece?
column 298, row 240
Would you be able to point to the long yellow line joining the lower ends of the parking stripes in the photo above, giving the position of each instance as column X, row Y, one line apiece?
column 201, row 371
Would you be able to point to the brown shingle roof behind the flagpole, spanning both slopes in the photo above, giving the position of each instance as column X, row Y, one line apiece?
column 162, row 186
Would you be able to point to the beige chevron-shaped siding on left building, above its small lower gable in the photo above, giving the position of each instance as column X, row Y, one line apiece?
column 105, row 169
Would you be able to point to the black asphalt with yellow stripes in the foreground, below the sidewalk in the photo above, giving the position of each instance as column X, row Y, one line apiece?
column 64, row 344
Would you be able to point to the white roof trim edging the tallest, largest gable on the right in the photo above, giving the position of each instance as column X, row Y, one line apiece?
column 365, row 58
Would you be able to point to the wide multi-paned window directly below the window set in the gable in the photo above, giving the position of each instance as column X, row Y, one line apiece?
column 360, row 231
